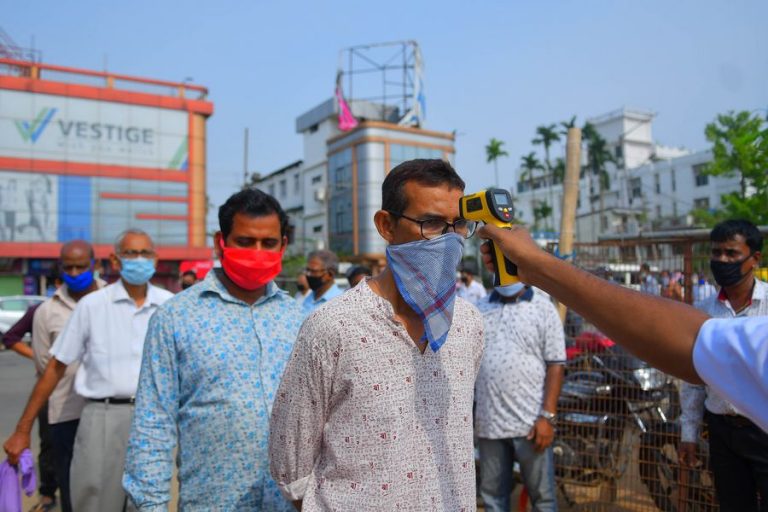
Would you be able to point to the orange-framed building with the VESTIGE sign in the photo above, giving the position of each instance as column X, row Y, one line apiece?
column 87, row 154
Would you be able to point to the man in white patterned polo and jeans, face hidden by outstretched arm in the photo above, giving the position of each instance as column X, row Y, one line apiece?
column 516, row 395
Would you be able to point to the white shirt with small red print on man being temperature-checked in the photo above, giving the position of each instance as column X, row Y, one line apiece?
column 364, row 421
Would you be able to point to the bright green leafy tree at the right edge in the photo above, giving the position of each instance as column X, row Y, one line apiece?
column 739, row 148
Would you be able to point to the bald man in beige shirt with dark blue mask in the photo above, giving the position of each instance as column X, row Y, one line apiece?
column 76, row 266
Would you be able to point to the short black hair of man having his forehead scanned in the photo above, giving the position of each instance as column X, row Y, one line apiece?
column 429, row 172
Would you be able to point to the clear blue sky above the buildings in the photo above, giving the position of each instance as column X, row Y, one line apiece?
column 493, row 69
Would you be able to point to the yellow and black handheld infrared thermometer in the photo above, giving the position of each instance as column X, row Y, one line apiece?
column 493, row 206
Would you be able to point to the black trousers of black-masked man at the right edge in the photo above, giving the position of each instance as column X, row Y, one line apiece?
column 739, row 459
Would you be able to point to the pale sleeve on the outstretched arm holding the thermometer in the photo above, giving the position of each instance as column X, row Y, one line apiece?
column 731, row 356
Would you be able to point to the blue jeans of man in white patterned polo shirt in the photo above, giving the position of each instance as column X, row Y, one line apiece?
column 497, row 458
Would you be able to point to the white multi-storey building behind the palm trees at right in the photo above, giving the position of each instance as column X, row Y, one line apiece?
column 651, row 186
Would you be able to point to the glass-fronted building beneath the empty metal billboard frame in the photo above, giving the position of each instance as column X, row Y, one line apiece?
column 332, row 194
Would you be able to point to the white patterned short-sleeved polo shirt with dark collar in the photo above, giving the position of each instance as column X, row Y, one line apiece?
column 521, row 339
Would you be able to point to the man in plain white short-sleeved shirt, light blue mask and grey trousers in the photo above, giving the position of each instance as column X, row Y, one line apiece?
column 105, row 334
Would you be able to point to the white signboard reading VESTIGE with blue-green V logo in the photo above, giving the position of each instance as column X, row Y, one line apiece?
column 60, row 128
